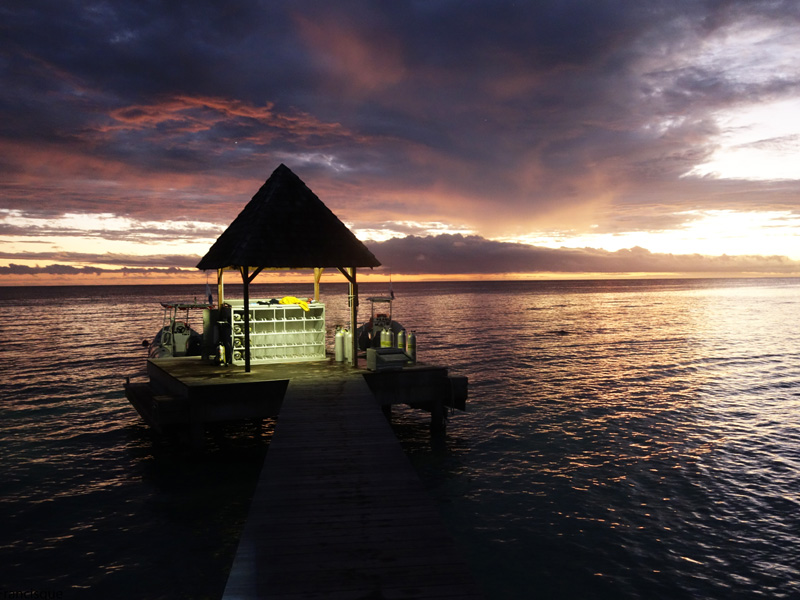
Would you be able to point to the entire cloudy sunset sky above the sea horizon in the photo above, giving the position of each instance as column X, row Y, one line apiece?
column 458, row 139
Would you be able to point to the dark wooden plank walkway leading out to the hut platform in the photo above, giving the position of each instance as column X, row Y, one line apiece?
column 339, row 511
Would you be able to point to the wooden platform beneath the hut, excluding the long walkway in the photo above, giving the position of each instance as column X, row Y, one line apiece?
column 188, row 392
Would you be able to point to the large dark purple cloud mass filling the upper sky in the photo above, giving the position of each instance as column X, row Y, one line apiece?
column 484, row 114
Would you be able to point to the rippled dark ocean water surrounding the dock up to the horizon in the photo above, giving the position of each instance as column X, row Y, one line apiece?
column 625, row 439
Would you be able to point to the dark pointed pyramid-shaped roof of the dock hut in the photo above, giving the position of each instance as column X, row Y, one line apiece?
column 286, row 225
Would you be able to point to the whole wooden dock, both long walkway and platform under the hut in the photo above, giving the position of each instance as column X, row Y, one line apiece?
column 338, row 510
